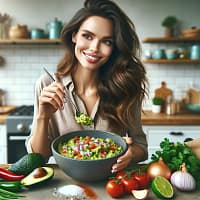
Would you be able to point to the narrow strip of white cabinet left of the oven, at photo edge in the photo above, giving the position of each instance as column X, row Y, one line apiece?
column 3, row 144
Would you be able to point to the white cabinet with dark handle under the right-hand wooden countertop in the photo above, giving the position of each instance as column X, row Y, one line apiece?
column 155, row 134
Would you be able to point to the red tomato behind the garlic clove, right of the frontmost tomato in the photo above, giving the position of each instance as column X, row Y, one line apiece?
column 130, row 184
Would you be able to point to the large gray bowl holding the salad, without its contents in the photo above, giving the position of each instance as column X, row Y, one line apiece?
column 87, row 170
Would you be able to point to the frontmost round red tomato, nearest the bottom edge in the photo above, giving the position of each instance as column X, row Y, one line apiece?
column 115, row 188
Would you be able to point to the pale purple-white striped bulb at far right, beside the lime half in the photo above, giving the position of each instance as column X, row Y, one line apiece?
column 183, row 180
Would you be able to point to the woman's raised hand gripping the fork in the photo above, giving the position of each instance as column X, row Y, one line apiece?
column 51, row 99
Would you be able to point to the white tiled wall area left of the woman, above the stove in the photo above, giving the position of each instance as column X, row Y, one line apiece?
column 24, row 64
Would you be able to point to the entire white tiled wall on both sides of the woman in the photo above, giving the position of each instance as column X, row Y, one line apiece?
column 24, row 64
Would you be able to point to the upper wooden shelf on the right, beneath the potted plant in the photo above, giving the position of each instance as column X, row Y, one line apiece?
column 169, row 40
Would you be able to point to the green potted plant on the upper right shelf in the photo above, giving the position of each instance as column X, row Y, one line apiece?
column 169, row 22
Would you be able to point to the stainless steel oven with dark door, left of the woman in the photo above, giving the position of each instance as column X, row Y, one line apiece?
column 18, row 125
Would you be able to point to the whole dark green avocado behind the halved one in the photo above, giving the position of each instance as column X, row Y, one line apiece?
column 27, row 164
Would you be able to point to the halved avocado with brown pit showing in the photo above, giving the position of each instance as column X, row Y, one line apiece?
column 38, row 176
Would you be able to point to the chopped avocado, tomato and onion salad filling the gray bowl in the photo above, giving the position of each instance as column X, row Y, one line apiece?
column 89, row 148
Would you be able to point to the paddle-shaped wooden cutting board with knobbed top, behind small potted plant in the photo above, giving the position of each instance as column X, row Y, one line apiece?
column 163, row 92
